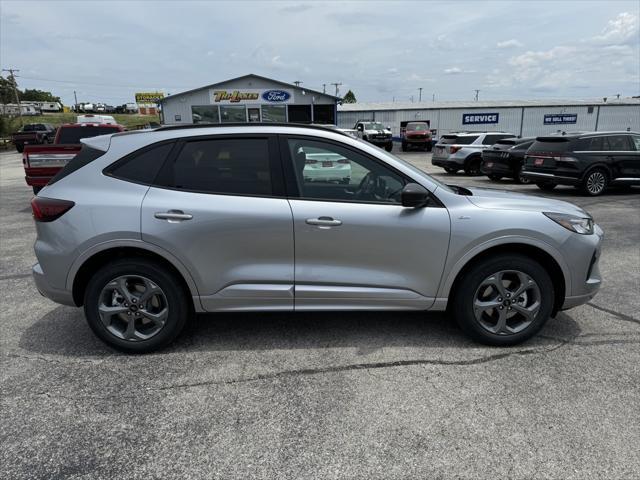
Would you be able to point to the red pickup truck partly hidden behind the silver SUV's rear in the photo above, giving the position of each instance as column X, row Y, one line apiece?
column 42, row 162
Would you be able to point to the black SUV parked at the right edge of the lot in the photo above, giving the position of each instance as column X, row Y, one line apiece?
column 589, row 161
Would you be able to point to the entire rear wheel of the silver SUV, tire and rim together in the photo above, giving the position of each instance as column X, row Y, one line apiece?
column 135, row 305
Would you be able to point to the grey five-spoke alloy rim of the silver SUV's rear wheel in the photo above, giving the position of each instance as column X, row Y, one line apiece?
column 133, row 308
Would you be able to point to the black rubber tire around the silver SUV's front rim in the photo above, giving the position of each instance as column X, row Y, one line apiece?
column 469, row 286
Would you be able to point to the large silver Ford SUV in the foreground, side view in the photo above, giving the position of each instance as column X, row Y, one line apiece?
column 145, row 228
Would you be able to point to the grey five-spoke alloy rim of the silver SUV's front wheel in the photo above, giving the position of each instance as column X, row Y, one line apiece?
column 506, row 302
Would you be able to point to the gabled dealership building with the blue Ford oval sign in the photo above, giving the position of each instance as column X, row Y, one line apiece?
column 250, row 98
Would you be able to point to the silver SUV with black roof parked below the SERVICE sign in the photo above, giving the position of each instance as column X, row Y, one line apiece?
column 463, row 151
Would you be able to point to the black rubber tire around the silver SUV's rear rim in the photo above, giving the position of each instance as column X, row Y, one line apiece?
column 177, row 303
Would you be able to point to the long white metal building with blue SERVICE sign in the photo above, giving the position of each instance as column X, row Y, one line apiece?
column 524, row 118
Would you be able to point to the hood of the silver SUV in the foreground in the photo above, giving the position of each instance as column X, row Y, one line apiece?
column 505, row 200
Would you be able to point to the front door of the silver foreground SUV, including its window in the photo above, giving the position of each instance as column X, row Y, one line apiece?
column 356, row 247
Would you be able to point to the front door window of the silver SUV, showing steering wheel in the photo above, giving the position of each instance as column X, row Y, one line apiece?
column 325, row 171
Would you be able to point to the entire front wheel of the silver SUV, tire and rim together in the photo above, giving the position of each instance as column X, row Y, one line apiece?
column 503, row 300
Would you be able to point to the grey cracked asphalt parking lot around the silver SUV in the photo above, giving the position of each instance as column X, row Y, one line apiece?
column 323, row 395
